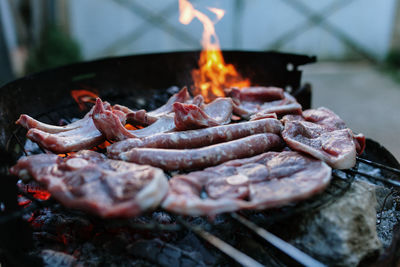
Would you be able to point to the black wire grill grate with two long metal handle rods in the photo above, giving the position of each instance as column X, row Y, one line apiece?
column 17, row 145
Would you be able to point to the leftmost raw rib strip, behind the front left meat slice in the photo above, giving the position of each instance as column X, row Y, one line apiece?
column 76, row 136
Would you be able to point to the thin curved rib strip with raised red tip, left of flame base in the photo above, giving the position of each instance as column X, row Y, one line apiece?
column 145, row 118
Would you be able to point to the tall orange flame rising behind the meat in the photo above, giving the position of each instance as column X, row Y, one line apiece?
column 213, row 75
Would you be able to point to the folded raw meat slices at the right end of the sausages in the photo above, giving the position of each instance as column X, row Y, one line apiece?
column 322, row 134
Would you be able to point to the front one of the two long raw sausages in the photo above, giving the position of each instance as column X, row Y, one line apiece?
column 186, row 159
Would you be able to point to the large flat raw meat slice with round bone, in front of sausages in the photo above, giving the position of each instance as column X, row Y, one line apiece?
column 269, row 180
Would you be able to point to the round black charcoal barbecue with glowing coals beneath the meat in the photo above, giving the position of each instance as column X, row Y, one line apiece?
column 144, row 81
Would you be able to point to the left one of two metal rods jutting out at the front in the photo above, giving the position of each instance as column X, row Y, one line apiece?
column 222, row 246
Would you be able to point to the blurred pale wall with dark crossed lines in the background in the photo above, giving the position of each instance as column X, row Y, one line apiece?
column 98, row 24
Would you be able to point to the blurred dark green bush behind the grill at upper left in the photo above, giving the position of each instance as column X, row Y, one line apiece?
column 55, row 49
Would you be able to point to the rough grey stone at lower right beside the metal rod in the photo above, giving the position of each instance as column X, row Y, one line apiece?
column 342, row 233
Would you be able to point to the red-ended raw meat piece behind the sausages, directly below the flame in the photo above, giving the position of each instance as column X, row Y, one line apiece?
column 188, row 116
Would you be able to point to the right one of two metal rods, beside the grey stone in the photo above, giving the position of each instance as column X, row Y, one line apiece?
column 278, row 243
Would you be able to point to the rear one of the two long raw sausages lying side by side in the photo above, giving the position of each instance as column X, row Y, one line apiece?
column 197, row 138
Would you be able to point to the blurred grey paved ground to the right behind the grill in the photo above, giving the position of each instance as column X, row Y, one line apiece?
column 364, row 96
